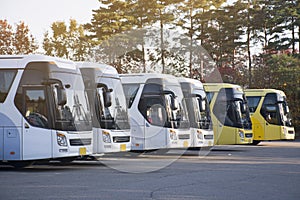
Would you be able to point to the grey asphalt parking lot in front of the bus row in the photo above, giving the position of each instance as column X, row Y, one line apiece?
column 270, row 170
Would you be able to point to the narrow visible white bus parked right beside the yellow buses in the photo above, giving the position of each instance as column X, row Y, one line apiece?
column 198, row 111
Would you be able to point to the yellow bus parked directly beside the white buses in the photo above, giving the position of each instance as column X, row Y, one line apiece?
column 230, row 113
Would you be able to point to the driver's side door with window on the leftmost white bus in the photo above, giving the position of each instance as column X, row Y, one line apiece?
column 37, row 135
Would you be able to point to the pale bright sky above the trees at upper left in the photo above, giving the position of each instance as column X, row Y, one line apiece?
column 38, row 15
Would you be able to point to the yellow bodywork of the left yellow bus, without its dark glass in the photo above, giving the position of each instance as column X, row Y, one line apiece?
column 226, row 134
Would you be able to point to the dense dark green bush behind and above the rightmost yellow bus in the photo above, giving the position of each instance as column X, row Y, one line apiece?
column 281, row 72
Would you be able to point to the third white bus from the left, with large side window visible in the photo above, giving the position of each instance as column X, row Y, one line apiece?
column 157, row 111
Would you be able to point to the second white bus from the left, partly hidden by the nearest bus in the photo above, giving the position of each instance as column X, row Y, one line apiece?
column 111, row 127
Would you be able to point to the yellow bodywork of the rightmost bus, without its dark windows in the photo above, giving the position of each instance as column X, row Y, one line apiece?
column 263, row 129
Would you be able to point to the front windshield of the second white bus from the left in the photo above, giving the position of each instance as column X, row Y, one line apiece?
column 114, row 116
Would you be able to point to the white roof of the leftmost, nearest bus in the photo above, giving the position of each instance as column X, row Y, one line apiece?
column 20, row 61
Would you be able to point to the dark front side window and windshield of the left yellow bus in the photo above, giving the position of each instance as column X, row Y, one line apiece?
column 231, row 108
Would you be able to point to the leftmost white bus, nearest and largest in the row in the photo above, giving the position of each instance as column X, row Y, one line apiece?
column 44, row 113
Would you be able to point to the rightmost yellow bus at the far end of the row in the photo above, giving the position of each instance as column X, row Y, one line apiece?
column 270, row 115
